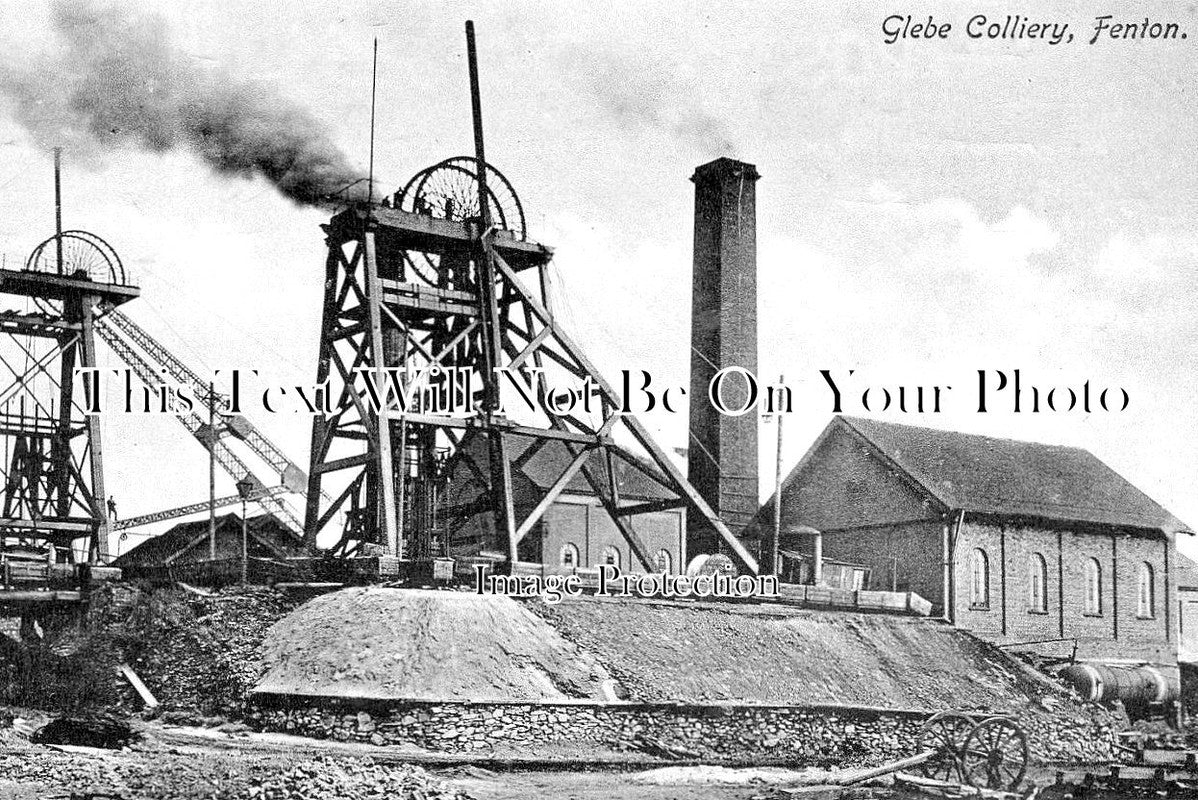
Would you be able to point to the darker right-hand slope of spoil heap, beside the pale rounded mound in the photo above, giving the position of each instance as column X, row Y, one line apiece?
column 777, row 656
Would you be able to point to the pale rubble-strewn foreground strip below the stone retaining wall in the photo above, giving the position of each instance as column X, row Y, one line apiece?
column 195, row 765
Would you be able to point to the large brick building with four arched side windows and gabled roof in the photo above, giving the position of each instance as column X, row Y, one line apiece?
column 1019, row 543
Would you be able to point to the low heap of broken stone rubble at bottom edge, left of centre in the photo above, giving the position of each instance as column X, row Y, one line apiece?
column 330, row 779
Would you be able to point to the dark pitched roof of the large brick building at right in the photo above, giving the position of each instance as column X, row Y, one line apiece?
column 1009, row 477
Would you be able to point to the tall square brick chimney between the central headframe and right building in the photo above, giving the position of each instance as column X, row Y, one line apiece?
column 722, row 460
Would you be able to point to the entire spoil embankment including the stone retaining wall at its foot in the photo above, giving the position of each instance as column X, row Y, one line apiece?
column 723, row 681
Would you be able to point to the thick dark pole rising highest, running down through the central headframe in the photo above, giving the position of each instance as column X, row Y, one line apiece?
column 493, row 328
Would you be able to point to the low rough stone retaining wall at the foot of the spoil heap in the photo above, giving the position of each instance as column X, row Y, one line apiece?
column 802, row 736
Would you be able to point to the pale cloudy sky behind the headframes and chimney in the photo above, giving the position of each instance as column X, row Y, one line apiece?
column 927, row 209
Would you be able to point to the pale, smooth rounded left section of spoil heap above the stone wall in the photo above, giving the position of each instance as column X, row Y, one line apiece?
column 385, row 644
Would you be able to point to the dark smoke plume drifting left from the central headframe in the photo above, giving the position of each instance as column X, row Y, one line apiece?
column 114, row 80
